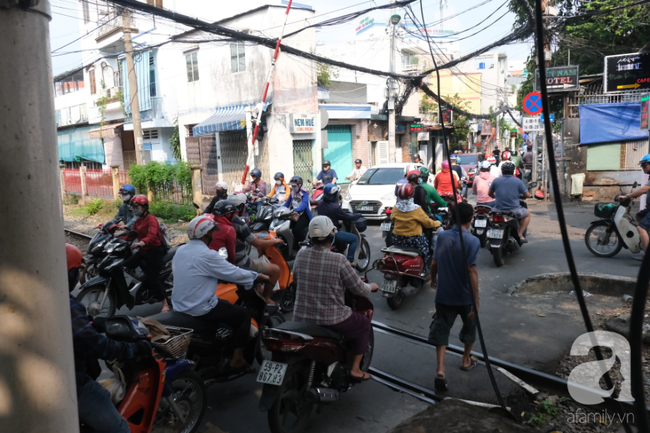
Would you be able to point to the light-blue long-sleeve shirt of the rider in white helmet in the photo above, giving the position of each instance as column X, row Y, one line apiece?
column 197, row 271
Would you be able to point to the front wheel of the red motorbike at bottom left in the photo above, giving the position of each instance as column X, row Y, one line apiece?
column 190, row 396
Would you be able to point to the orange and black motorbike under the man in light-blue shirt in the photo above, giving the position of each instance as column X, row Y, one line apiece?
column 211, row 344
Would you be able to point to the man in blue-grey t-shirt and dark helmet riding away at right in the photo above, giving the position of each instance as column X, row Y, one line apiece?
column 506, row 190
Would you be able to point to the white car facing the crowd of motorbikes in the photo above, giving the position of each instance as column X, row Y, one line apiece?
column 375, row 190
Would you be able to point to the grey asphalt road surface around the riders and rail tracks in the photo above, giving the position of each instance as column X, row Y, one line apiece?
column 511, row 332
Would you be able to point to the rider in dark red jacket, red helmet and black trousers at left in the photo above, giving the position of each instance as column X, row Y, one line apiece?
column 151, row 250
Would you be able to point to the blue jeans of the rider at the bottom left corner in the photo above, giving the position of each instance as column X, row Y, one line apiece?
column 97, row 411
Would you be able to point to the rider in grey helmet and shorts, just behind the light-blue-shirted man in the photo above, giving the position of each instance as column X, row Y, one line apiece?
column 246, row 236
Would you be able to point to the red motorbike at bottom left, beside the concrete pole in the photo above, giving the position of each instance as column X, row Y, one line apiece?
column 163, row 393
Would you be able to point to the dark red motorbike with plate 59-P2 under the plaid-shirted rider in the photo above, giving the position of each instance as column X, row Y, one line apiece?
column 309, row 366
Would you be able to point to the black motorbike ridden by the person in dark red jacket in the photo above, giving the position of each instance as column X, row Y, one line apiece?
column 116, row 286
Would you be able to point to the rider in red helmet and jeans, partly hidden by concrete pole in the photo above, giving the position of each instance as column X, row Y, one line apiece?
column 96, row 410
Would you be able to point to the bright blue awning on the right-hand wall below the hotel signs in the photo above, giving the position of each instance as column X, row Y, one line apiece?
column 608, row 123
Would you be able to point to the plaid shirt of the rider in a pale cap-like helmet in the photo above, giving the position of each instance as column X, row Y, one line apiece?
column 322, row 277
